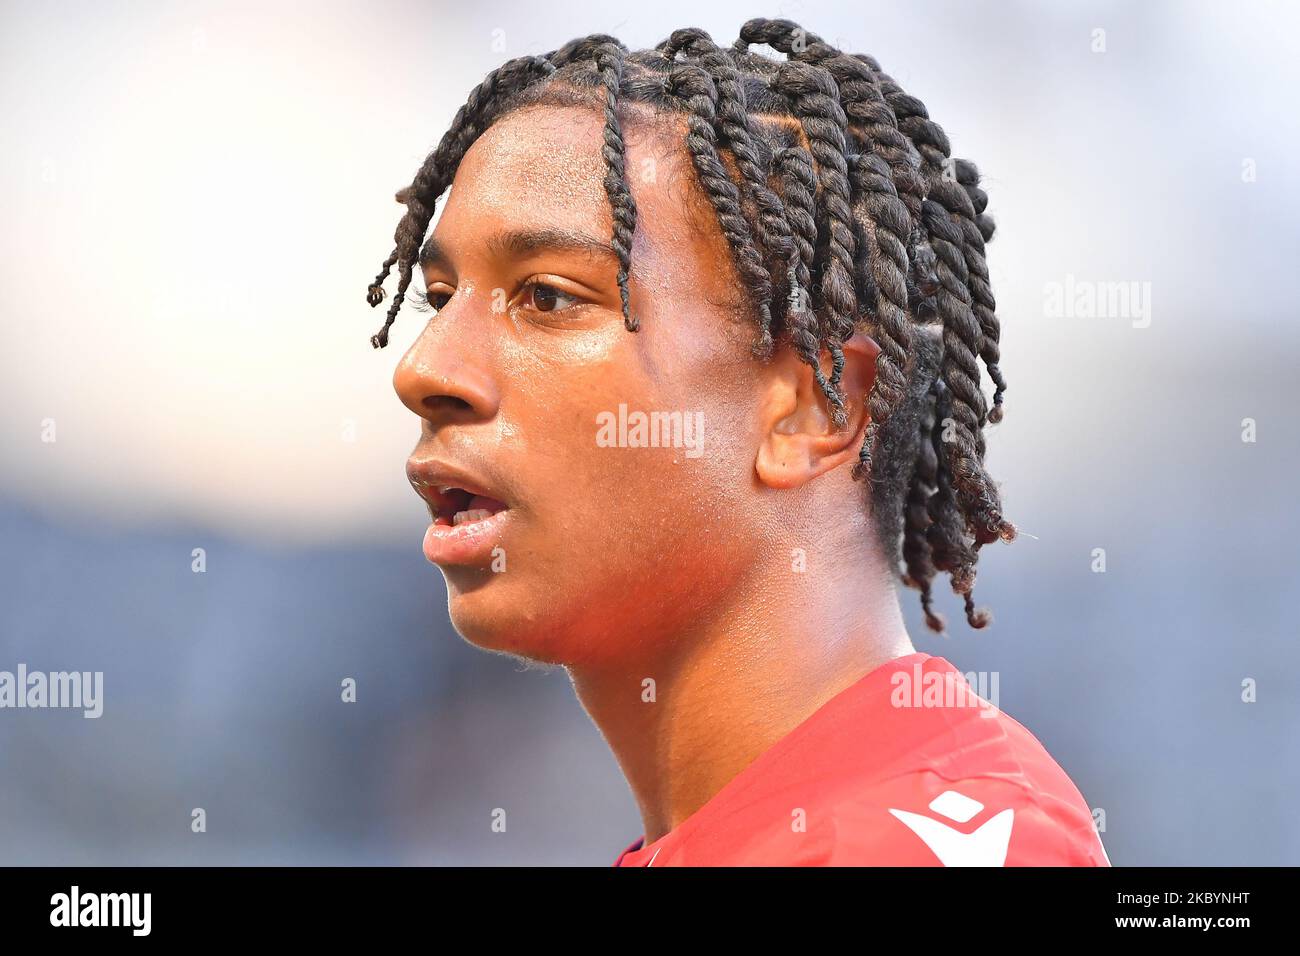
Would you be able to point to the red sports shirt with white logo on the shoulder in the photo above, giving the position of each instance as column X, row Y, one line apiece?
column 907, row 768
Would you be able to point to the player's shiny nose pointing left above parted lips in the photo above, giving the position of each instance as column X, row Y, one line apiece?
column 447, row 377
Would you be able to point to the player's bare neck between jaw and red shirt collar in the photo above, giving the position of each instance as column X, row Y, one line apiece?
column 740, row 681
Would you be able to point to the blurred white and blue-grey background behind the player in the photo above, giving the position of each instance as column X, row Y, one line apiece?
column 193, row 197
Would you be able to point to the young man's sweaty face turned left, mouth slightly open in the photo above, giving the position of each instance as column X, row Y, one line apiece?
column 528, row 354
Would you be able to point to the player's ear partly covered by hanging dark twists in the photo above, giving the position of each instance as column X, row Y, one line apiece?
column 800, row 440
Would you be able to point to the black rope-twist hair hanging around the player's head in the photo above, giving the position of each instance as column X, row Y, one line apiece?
column 844, row 211
